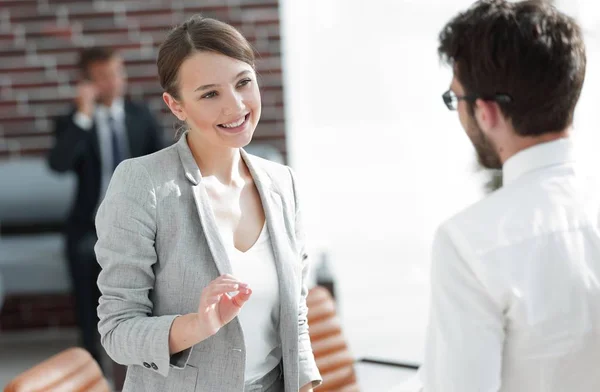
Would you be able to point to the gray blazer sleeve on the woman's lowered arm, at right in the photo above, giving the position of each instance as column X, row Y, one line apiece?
column 308, row 370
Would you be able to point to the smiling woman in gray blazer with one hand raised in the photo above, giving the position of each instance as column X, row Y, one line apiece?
column 201, row 244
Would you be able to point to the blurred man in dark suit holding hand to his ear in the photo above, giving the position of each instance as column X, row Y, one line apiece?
column 101, row 130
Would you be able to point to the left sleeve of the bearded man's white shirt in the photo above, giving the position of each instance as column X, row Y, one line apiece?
column 465, row 334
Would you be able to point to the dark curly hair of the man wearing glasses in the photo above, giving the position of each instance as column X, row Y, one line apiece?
column 527, row 50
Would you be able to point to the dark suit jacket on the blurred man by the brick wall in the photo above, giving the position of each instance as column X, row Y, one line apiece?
column 78, row 150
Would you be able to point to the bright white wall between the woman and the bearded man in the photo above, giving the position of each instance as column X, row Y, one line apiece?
column 381, row 160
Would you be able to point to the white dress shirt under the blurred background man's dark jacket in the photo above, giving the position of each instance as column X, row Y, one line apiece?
column 101, row 118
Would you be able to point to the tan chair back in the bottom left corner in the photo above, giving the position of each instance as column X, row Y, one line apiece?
column 72, row 370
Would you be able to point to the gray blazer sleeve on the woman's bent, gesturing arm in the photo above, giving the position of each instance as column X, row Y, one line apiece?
column 126, row 226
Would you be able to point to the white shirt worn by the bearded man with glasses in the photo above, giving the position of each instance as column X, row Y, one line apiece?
column 516, row 284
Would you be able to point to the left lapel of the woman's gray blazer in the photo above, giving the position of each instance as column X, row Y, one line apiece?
column 207, row 220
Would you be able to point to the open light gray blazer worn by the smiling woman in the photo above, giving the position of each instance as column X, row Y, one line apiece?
column 158, row 246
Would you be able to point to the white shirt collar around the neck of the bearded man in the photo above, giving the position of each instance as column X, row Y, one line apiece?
column 540, row 156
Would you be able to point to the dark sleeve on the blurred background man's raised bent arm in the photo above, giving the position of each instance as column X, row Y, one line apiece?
column 70, row 144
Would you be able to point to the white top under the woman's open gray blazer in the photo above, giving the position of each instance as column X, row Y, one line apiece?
column 259, row 316
